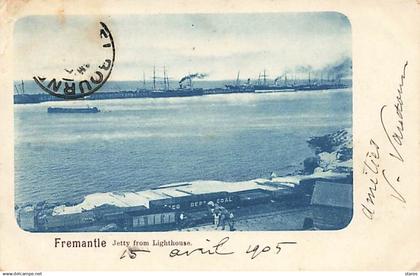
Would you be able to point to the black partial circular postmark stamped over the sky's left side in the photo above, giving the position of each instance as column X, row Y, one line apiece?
column 85, row 78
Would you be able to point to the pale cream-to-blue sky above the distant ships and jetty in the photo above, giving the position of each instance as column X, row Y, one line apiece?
column 218, row 45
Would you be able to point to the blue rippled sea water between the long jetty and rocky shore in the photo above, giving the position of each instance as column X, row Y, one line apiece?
column 135, row 144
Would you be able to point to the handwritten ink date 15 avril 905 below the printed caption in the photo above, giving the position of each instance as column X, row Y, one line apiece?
column 220, row 248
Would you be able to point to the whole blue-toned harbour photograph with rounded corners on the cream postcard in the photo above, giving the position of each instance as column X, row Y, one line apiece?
column 183, row 122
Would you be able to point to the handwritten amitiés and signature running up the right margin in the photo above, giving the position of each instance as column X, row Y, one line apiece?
column 395, row 136
